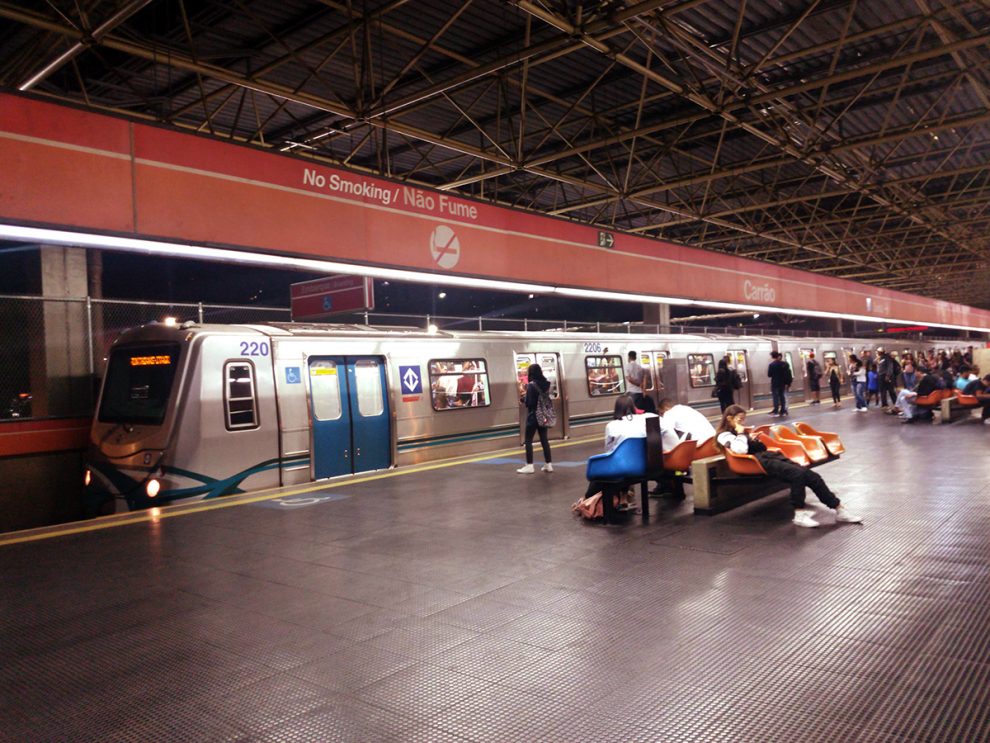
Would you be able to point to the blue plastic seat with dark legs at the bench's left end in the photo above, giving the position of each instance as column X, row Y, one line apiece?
column 631, row 462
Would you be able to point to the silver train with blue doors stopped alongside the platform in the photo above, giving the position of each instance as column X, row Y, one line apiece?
column 201, row 411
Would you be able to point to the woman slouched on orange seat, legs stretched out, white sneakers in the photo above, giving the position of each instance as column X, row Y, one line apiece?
column 731, row 434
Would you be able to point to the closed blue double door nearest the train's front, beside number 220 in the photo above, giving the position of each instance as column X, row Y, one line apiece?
column 350, row 417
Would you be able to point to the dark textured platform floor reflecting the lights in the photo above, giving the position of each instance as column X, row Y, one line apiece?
column 468, row 603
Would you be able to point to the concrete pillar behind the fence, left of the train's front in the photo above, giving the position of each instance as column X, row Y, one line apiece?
column 59, row 361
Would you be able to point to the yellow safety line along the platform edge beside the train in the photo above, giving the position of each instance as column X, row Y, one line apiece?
column 164, row 512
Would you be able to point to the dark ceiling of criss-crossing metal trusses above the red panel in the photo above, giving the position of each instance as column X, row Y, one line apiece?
column 845, row 137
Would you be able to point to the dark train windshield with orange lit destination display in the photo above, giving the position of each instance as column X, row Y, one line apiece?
column 138, row 384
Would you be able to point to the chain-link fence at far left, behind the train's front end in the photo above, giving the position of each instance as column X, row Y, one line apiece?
column 55, row 350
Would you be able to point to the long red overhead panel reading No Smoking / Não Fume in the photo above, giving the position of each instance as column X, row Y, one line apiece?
column 71, row 169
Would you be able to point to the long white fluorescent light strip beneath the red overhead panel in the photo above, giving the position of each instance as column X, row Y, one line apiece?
column 130, row 244
